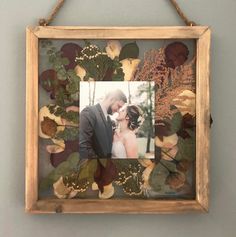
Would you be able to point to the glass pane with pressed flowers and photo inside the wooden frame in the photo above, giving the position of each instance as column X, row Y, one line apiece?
column 117, row 119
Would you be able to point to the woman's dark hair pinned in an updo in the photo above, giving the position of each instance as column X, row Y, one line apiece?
column 134, row 114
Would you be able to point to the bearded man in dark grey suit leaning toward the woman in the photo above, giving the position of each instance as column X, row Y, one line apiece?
column 96, row 136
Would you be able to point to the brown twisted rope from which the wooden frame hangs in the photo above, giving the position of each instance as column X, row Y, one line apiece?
column 47, row 21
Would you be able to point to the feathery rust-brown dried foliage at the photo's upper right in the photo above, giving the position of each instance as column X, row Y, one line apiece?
column 169, row 82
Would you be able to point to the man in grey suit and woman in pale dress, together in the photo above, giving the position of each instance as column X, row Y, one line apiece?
column 100, row 137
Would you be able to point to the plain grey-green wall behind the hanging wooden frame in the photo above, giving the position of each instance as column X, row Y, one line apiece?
column 15, row 16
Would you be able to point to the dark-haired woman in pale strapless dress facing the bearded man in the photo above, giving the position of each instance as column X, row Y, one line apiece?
column 124, row 139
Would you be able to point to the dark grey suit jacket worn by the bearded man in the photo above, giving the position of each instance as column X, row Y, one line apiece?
column 95, row 139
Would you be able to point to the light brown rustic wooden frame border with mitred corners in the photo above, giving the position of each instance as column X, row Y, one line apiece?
column 202, row 35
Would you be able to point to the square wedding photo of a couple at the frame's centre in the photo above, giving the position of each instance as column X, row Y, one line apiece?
column 110, row 127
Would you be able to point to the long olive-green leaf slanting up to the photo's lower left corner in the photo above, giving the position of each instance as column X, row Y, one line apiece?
column 63, row 169
